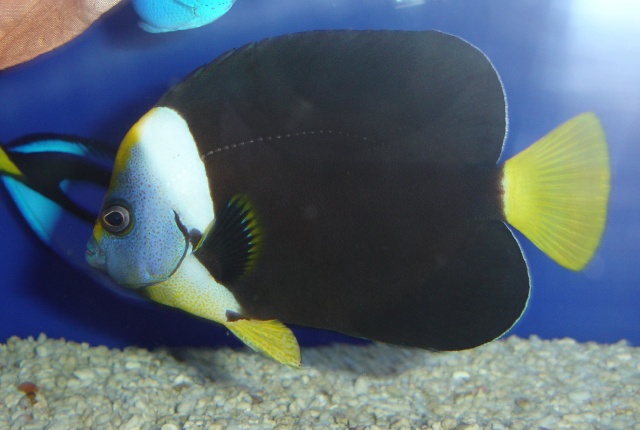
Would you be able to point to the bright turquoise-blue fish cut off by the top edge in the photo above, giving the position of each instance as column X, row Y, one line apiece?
column 160, row 16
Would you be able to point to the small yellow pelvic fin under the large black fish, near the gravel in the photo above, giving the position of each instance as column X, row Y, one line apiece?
column 270, row 337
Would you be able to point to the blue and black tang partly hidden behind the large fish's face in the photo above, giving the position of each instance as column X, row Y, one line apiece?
column 51, row 179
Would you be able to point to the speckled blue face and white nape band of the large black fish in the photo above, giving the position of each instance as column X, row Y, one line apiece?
column 159, row 192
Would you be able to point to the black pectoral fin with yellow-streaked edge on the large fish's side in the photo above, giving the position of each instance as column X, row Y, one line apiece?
column 231, row 246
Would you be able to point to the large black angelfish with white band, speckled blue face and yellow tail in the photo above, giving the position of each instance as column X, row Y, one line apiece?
column 347, row 180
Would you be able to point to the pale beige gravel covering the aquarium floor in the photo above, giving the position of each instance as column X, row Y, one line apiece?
column 507, row 384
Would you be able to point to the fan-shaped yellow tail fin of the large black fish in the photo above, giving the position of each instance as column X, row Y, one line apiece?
column 556, row 191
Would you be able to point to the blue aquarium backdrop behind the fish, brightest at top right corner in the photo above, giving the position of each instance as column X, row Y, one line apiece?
column 556, row 59
